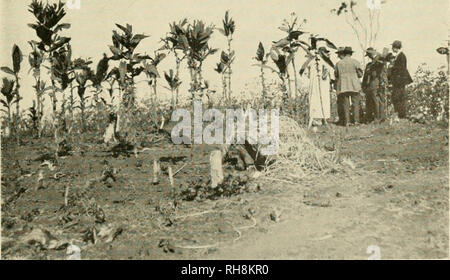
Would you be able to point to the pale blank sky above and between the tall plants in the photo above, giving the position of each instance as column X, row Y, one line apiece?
column 422, row 26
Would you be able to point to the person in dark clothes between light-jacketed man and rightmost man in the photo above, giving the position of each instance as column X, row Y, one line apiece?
column 373, row 84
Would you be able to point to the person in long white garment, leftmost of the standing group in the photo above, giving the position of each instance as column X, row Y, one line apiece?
column 319, row 89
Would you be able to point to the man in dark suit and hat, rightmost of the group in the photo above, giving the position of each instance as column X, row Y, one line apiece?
column 399, row 78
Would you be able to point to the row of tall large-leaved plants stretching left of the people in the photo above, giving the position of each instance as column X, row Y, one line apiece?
column 116, row 72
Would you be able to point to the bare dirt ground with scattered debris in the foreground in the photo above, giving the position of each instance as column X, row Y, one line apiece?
column 395, row 197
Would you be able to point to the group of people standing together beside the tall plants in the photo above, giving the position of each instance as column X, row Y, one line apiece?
column 385, row 70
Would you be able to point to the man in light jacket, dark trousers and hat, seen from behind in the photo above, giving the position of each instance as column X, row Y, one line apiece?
column 347, row 72
